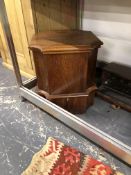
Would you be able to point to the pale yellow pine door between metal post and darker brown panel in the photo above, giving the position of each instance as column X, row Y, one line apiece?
column 17, row 26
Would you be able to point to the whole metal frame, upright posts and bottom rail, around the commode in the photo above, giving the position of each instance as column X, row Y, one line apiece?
column 107, row 142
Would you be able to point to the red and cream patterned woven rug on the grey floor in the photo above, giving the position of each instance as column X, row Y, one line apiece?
column 55, row 158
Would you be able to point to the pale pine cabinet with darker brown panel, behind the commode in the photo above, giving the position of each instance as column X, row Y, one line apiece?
column 27, row 17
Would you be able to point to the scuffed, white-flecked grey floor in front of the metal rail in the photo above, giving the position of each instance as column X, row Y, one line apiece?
column 24, row 128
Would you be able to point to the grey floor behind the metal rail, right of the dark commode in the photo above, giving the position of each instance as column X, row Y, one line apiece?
column 116, row 123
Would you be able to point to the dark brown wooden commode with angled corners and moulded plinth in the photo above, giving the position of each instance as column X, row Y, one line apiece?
column 65, row 63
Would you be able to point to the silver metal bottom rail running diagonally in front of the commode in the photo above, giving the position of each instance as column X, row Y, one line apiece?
column 107, row 142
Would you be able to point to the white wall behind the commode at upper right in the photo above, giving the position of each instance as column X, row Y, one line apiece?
column 111, row 22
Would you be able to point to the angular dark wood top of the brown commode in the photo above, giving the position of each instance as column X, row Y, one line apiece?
column 65, row 41
